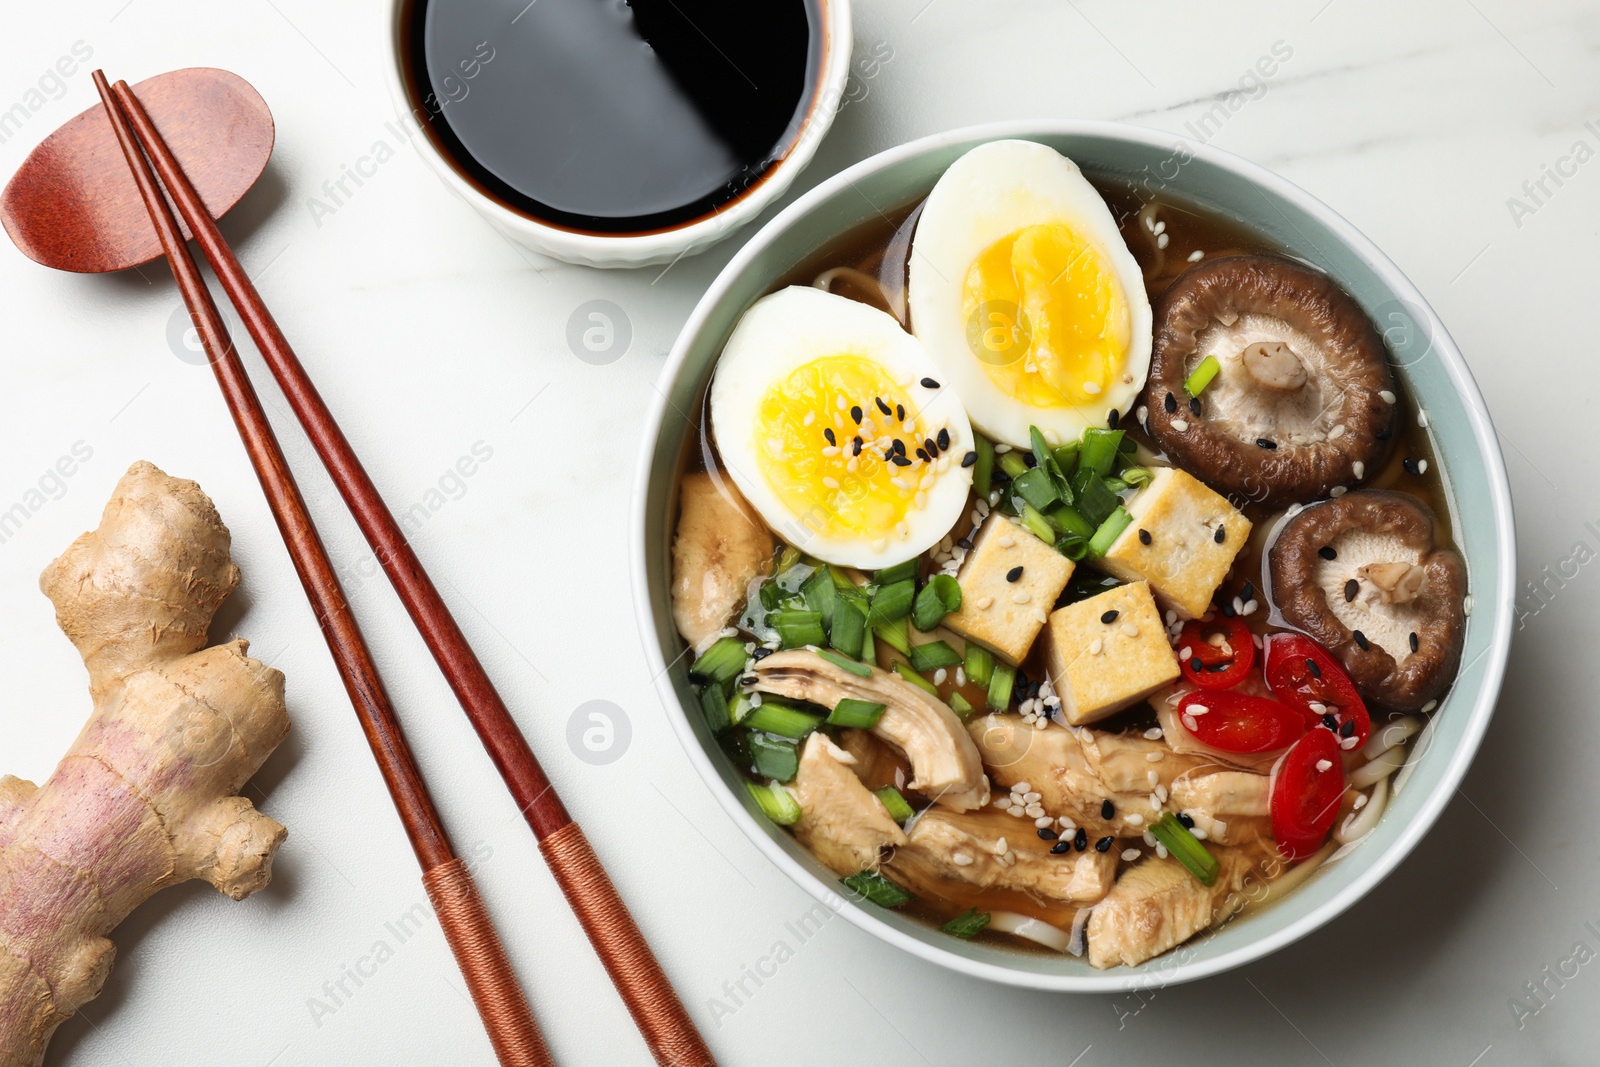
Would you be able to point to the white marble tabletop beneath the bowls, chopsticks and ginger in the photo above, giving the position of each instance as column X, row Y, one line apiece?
column 1428, row 124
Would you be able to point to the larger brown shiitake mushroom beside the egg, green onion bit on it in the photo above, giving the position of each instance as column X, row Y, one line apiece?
column 1305, row 391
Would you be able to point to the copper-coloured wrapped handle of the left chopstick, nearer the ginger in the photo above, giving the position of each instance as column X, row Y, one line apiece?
column 484, row 964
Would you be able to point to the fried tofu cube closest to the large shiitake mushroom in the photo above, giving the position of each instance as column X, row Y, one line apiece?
column 1175, row 545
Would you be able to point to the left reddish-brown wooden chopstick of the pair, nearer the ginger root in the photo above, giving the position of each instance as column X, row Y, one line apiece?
column 462, row 913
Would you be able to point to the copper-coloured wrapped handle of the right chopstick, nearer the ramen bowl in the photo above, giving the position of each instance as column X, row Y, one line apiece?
column 657, row 1010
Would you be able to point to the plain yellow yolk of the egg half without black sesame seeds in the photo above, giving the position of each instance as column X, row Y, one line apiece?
column 1047, row 318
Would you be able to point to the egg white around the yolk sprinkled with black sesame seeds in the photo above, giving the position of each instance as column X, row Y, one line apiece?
column 791, row 329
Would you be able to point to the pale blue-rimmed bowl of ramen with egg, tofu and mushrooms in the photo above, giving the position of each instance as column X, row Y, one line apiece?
column 1078, row 557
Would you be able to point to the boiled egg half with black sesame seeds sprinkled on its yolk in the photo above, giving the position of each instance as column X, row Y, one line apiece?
column 838, row 428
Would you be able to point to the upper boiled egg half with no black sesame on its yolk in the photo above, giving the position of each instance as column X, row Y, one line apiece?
column 1025, row 295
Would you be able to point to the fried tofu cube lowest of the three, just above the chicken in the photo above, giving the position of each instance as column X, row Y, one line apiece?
column 1108, row 652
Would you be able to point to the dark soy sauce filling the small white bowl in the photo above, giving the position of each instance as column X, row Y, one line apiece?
column 610, row 116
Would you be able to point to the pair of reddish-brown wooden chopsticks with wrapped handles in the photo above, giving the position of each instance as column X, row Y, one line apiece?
column 662, row 1020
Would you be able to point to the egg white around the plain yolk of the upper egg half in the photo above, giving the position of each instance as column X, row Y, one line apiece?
column 991, row 193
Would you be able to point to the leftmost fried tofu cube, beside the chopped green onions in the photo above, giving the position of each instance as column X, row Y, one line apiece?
column 1001, row 612
